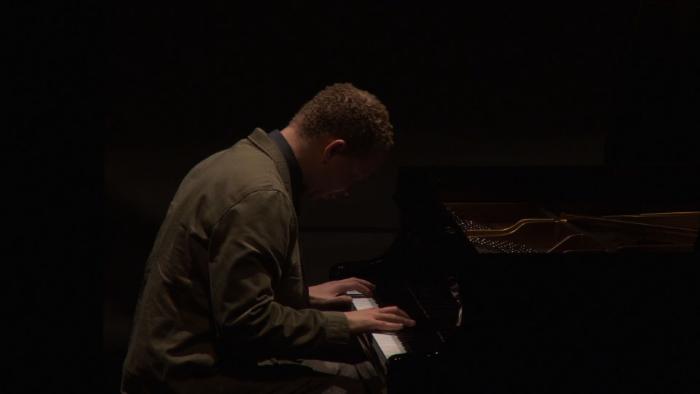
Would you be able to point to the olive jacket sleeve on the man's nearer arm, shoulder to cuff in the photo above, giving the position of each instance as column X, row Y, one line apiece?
column 248, row 255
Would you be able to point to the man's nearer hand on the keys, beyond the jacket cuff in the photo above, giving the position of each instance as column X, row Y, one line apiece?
column 390, row 318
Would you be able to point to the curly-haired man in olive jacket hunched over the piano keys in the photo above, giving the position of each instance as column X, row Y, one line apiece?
column 223, row 307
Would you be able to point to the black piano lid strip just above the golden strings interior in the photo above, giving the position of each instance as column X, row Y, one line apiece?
column 590, row 189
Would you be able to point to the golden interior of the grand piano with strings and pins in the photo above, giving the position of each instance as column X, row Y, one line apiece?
column 521, row 227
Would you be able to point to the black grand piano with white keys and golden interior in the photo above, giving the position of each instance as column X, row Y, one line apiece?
column 539, row 279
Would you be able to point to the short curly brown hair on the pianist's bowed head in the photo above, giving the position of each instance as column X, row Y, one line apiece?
column 346, row 112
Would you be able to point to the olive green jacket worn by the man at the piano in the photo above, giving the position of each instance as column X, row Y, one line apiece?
column 223, row 284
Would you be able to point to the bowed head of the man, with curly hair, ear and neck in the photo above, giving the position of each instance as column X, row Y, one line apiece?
column 340, row 137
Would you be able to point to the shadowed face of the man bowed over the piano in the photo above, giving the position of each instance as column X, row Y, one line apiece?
column 342, row 171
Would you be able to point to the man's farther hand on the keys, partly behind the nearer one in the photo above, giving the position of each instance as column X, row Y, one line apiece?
column 332, row 294
